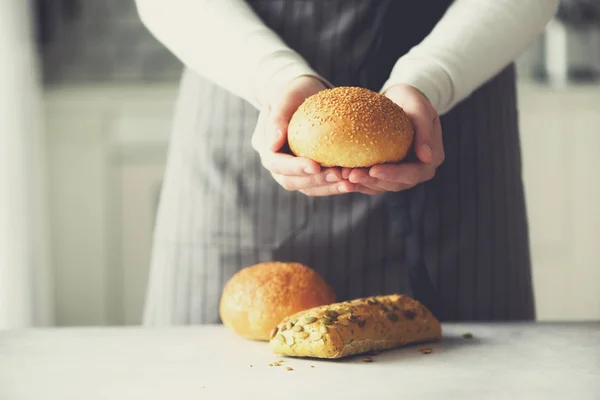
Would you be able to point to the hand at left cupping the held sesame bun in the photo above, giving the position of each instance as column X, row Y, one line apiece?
column 270, row 136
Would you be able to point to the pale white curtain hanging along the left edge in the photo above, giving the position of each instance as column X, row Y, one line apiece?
column 25, row 278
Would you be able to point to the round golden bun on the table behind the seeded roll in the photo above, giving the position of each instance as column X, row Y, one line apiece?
column 258, row 297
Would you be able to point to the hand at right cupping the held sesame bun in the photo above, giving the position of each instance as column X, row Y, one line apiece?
column 428, row 146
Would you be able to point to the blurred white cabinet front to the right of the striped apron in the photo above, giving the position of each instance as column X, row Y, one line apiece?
column 560, row 135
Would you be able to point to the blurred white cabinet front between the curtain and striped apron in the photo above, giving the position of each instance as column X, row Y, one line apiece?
column 107, row 150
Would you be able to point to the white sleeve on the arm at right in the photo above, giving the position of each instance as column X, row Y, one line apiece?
column 472, row 42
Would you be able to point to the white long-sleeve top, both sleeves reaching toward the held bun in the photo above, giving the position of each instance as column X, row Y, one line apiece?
column 227, row 43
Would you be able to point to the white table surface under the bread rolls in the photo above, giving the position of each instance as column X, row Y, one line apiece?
column 502, row 361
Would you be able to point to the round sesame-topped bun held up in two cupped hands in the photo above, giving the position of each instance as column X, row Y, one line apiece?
column 350, row 127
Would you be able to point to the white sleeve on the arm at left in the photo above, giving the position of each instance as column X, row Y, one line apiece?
column 225, row 42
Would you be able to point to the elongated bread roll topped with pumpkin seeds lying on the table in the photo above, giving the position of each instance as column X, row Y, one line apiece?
column 353, row 327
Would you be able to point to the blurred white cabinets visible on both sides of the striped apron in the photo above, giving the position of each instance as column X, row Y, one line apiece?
column 107, row 149
